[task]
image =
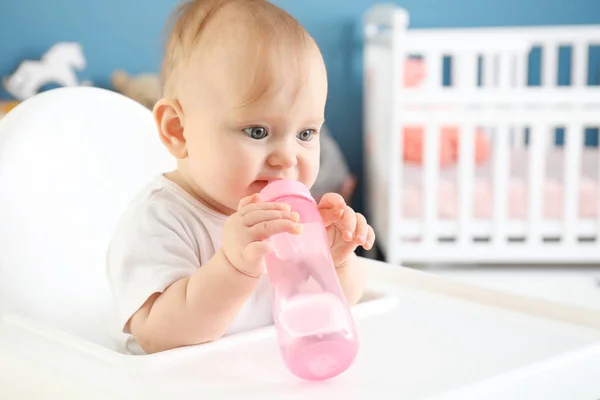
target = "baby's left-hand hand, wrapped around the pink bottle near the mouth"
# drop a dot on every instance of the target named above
(246, 231)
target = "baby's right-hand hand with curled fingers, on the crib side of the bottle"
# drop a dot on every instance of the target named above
(346, 229)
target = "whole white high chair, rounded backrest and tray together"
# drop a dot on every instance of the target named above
(70, 161)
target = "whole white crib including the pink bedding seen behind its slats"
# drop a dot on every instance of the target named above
(529, 201)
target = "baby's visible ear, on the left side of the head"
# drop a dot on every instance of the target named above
(168, 115)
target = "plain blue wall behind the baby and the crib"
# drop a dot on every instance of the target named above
(128, 34)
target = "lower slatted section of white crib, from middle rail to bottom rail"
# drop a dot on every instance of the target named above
(495, 239)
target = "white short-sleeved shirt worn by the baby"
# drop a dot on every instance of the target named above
(165, 235)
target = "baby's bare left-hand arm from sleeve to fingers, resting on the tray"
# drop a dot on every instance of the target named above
(201, 307)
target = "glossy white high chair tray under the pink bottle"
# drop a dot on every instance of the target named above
(422, 337)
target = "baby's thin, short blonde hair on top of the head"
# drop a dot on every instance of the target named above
(275, 31)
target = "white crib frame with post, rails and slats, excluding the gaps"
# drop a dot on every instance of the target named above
(503, 105)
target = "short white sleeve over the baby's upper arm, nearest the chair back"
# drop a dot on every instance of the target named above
(149, 251)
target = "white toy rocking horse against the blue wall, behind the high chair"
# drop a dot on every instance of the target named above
(57, 66)
